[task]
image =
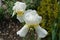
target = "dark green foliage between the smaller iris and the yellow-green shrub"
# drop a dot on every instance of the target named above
(32, 4)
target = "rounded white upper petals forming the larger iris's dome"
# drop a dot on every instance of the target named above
(31, 17)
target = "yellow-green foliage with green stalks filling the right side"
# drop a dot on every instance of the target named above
(48, 9)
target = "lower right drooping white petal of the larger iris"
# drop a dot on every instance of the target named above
(41, 32)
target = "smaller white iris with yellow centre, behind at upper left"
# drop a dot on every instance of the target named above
(19, 8)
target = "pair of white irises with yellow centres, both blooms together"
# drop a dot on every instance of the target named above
(31, 18)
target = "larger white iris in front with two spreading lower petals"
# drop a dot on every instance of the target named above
(32, 19)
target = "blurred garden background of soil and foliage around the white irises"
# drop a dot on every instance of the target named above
(48, 9)
